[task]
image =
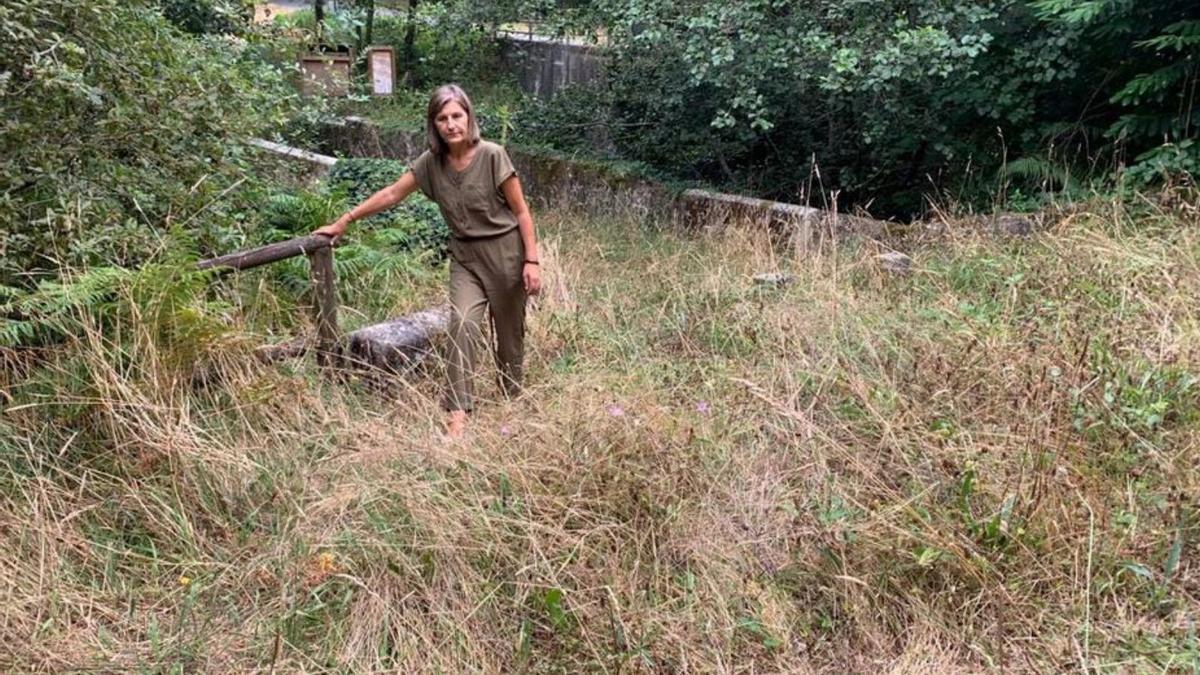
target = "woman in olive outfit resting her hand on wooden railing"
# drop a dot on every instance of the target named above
(494, 252)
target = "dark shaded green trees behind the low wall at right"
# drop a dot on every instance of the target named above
(887, 103)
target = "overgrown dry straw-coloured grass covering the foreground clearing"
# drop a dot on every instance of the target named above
(989, 464)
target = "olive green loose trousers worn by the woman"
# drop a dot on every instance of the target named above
(485, 274)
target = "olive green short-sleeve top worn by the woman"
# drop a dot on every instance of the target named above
(471, 200)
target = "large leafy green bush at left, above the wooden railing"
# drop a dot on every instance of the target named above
(119, 126)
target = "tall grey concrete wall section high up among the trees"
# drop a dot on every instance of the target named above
(544, 67)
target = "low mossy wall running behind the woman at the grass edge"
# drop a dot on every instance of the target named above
(560, 182)
